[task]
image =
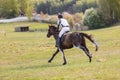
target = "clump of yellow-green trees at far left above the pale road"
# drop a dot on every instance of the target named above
(11, 8)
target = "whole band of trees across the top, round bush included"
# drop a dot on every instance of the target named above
(103, 12)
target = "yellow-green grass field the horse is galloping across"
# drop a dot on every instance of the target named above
(24, 56)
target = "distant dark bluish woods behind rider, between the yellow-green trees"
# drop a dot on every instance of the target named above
(71, 6)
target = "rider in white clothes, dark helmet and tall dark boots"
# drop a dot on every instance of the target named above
(63, 23)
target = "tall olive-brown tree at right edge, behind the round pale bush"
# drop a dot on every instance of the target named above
(110, 9)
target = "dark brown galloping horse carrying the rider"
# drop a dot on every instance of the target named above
(69, 40)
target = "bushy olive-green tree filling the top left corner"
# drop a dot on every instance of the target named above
(9, 8)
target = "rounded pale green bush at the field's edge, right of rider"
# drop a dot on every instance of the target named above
(92, 19)
